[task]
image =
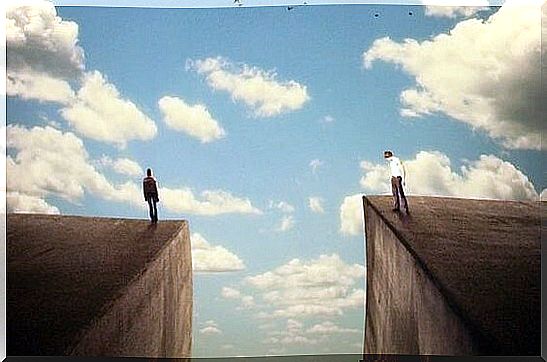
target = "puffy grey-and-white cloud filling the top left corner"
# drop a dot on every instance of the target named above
(42, 52)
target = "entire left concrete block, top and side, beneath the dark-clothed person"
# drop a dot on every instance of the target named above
(98, 287)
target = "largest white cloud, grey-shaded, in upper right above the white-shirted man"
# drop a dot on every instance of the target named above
(483, 73)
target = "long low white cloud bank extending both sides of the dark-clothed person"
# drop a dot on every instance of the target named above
(49, 162)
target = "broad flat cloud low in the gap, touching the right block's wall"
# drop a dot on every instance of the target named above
(326, 286)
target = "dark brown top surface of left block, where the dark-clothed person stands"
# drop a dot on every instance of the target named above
(65, 271)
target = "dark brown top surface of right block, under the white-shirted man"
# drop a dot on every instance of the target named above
(484, 256)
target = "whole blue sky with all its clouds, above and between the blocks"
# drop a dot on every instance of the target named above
(264, 127)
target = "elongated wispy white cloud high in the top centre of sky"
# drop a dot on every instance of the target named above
(258, 89)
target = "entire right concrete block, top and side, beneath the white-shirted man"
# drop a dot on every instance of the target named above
(456, 277)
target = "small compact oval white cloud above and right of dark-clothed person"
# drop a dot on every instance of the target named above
(194, 120)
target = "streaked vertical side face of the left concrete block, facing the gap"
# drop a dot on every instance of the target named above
(153, 317)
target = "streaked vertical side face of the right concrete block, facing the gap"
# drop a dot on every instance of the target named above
(406, 313)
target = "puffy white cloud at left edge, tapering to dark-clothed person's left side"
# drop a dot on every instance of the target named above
(49, 162)
